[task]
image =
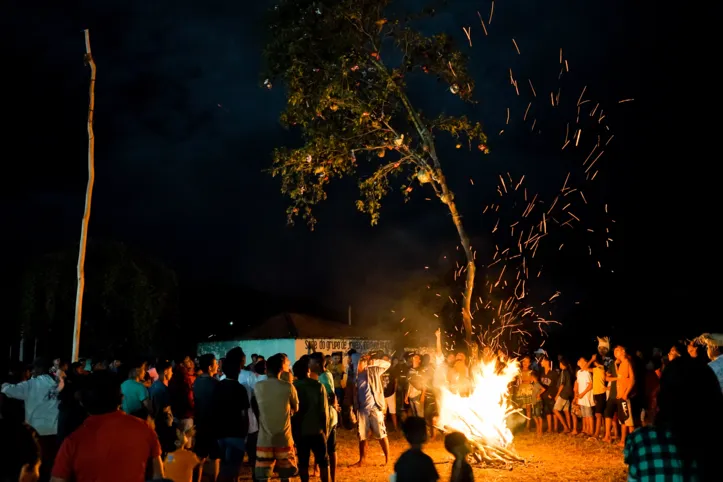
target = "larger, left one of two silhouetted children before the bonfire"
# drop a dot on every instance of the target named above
(414, 465)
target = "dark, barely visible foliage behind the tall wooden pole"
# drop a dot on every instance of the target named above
(127, 298)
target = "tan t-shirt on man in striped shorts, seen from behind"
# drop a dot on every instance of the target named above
(276, 401)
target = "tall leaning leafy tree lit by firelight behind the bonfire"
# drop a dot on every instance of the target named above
(345, 64)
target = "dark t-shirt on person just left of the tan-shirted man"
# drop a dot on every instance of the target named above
(231, 407)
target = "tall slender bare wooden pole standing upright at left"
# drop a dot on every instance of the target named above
(88, 196)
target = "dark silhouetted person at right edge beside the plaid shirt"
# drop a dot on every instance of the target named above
(689, 387)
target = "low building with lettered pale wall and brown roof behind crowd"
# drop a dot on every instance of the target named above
(297, 335)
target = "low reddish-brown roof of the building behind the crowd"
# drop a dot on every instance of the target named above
(294, 325)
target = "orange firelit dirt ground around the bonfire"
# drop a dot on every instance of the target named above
(550, 457)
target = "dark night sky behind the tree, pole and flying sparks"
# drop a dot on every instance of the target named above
(184, 130)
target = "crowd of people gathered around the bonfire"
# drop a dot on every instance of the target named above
(203, 418)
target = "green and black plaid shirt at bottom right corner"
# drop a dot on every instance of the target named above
(651, 456)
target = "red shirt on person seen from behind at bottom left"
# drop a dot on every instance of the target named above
(112, 447)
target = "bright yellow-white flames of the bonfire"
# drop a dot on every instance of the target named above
(481, 416)
